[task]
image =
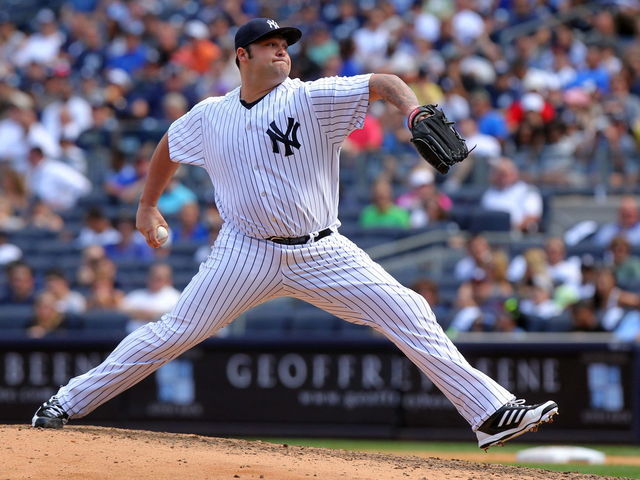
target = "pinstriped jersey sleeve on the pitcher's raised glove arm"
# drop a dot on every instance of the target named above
(340, 103)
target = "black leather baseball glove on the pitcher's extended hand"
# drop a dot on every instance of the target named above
(435, 138)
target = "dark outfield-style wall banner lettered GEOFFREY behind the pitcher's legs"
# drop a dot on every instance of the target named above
(302, 386)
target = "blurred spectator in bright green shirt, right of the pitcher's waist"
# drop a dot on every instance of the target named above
(382, 212)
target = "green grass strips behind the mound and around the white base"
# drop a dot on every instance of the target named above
(395, 446)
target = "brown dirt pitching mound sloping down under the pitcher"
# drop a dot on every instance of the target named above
(94, 453)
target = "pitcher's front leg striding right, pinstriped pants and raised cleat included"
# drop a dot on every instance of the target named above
(356, 289)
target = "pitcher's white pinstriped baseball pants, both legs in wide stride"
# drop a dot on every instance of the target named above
(333, 274)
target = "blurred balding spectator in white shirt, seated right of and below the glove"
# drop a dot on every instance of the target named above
(508, 193)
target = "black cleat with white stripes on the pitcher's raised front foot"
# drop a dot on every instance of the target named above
(514, 419)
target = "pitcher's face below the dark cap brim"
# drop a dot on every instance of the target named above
(269, 58)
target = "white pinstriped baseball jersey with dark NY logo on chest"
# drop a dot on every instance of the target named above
(274, 166)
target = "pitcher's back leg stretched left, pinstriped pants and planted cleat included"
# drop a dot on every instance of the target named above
(240, 273)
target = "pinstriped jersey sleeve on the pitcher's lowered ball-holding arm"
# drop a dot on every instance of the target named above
(186, 136)
